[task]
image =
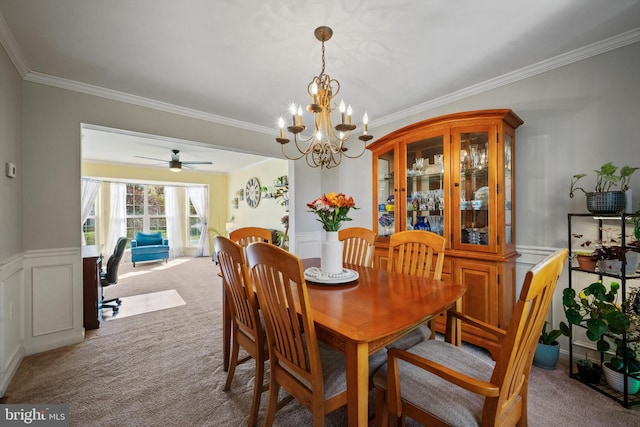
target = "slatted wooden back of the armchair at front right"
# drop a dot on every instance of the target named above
(513, 364)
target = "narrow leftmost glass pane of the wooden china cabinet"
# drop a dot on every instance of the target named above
(386, 194)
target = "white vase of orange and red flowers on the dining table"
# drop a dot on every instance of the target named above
(332, 210)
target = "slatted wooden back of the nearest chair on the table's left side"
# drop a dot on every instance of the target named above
(293, 347)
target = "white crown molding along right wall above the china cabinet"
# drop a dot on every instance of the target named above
(615, 42)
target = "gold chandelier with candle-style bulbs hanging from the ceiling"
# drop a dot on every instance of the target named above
(325, 146)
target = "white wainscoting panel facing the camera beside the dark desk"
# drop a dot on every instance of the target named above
(53, 302)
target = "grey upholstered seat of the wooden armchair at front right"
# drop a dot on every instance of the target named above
(453, 405)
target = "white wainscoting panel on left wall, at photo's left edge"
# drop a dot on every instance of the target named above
(12, 318)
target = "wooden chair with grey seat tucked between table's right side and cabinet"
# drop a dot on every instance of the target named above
(416, 253)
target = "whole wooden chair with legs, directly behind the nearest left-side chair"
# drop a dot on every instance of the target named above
(247, 328)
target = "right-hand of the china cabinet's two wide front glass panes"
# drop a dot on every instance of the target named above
(474, 188)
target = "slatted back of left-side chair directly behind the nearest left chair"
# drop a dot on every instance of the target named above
(235, 275)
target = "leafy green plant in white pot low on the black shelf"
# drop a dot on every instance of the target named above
(605, 320)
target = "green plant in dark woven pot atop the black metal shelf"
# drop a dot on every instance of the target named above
(608, 194)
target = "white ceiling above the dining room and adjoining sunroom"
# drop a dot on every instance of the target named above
(242, 62)
